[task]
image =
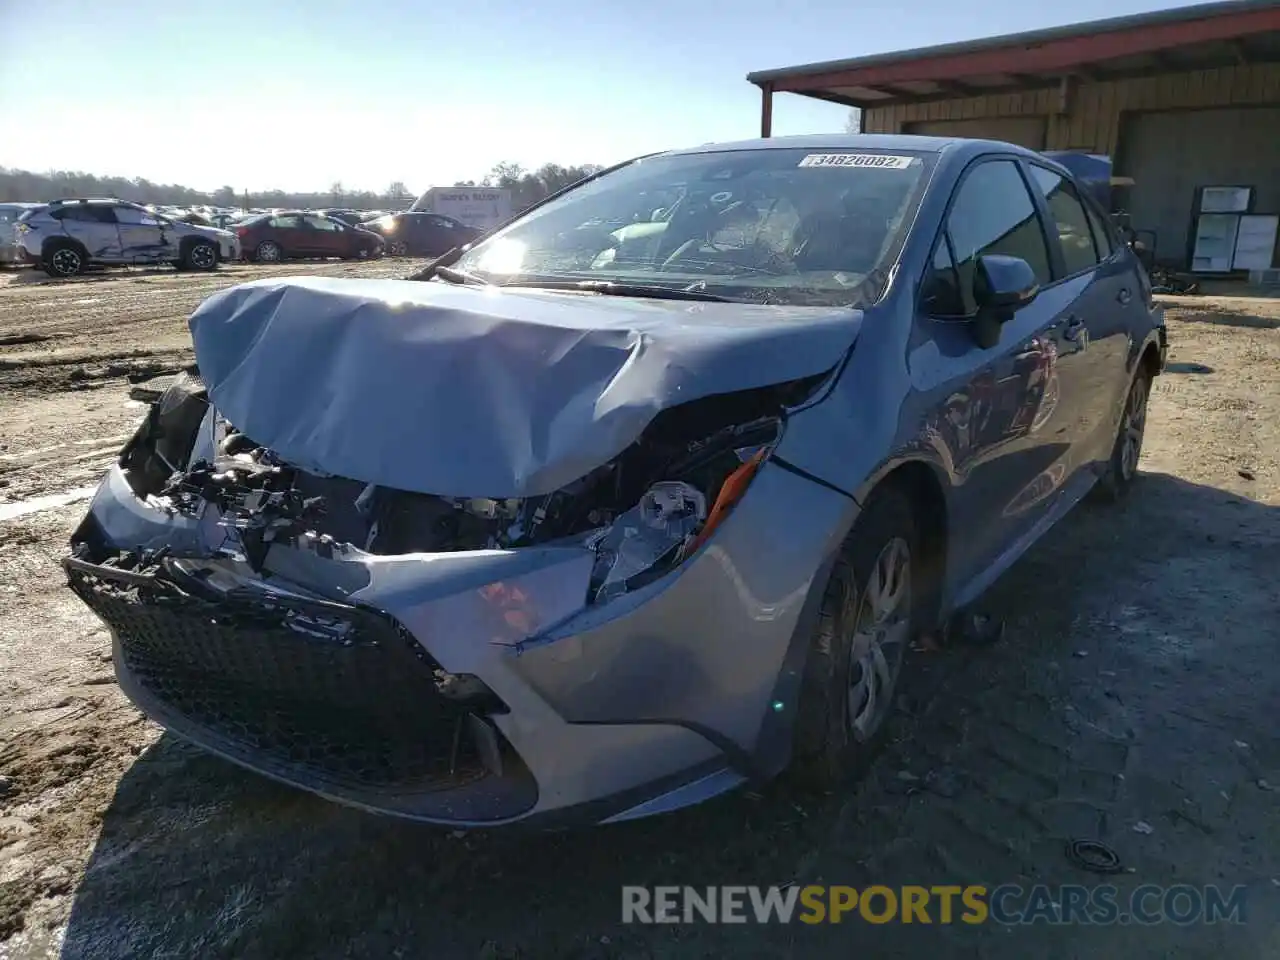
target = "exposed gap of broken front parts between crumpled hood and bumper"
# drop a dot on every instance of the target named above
(641, 514)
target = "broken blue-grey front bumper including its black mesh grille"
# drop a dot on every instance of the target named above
(322, 671)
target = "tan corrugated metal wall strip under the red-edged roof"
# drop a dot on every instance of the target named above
(1094, 118)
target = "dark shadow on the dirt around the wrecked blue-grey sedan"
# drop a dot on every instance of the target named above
(996, 760)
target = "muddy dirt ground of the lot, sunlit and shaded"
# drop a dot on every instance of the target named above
(1135, 700)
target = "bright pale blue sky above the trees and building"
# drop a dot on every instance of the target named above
(301, 94)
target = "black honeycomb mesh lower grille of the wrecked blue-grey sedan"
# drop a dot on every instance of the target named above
(308, 691)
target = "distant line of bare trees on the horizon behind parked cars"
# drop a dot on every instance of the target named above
(39, 188)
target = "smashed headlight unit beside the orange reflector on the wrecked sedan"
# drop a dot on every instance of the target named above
(669, 514)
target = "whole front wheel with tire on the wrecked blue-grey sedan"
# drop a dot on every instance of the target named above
(842, 721)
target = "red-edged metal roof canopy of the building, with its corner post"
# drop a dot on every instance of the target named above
(1165, 42)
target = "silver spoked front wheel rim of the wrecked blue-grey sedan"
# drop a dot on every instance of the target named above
(883, 629)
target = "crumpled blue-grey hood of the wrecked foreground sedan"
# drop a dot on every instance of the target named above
(473, 392)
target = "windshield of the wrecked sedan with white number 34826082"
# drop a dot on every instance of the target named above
(775, 226)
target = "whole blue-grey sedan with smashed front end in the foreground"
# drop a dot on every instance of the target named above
(638, 500)
